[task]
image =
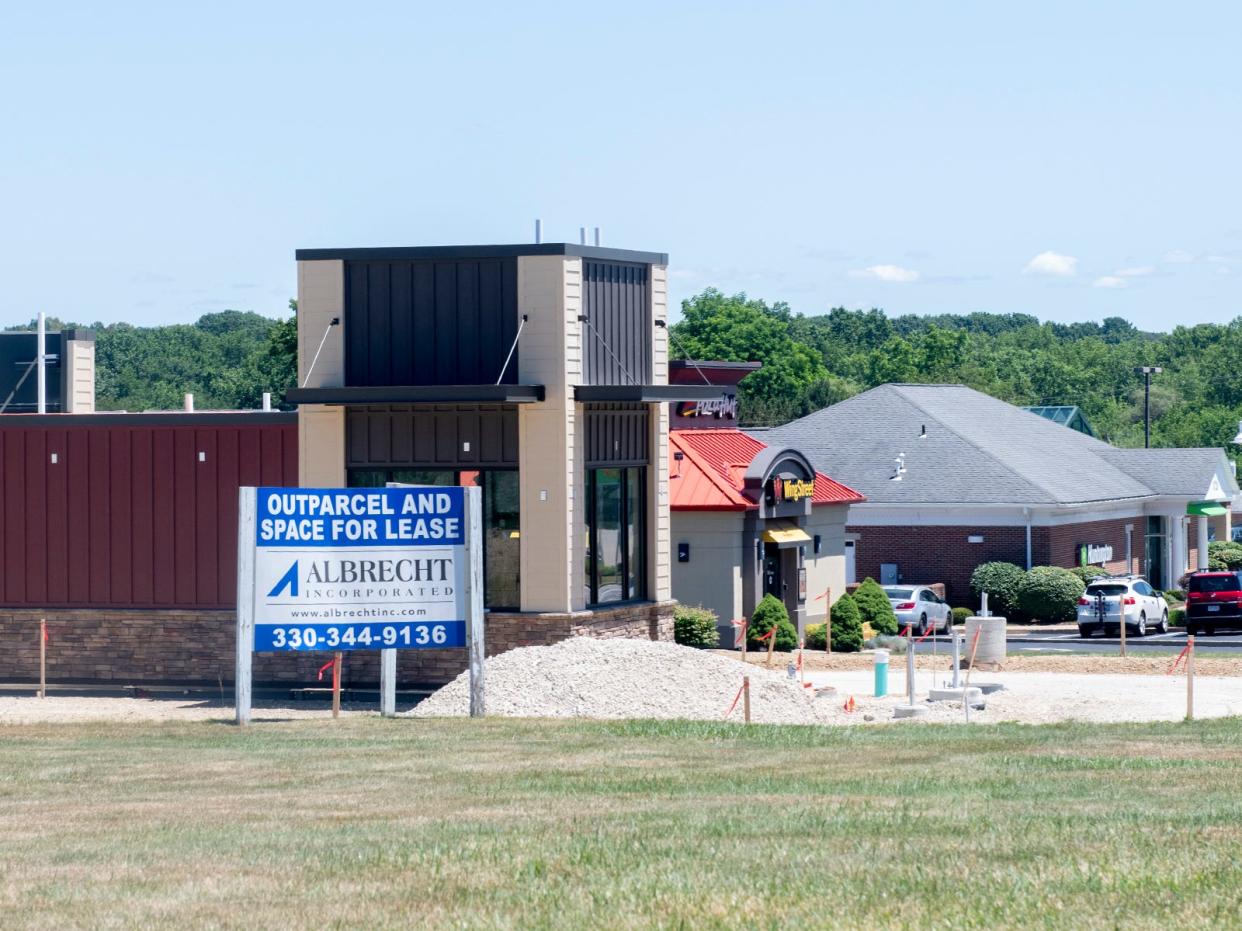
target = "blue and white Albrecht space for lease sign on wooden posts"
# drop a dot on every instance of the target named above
(343, 569)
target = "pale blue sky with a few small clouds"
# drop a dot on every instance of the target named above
(1063, 160)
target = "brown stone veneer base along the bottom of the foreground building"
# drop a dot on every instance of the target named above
(197, 647)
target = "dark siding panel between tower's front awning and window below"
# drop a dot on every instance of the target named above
(433, 436)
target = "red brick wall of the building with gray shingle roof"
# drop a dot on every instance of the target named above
(941, 554)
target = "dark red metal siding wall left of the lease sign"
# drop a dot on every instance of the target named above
(129, 517)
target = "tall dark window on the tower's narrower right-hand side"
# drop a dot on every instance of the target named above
(617, 532)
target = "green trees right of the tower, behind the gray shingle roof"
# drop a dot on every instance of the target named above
(814, 362)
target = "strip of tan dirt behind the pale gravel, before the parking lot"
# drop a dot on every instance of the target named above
(1084, 663)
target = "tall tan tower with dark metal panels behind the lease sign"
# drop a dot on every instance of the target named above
(538, 373)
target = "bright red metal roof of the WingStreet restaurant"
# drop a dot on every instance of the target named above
(712, 475)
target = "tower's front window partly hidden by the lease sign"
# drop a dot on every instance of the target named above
(502, 523)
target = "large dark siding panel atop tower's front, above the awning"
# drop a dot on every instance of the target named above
(430, 322)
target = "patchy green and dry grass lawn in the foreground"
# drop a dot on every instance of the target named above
(505, 824)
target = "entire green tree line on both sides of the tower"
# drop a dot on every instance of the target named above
(229, 359)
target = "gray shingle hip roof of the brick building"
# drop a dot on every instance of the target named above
(981, 451)
